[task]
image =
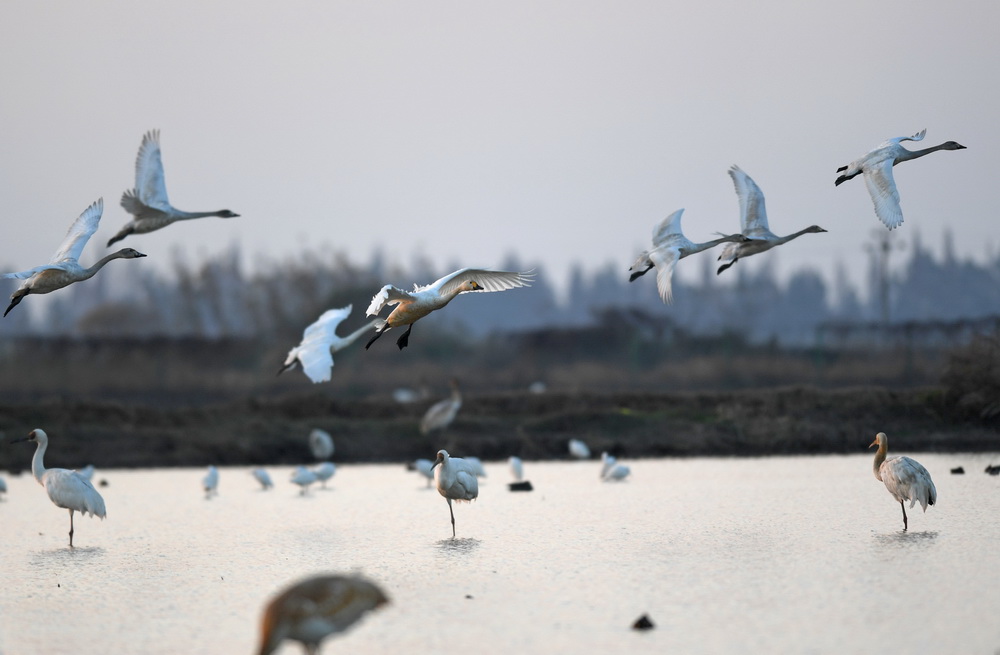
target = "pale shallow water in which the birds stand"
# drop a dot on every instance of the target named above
(797, 555)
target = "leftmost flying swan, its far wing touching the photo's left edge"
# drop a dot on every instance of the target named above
(64, 268)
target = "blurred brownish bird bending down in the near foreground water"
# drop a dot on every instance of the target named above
(316, 608)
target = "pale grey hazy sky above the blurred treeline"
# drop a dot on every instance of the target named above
(463, 132)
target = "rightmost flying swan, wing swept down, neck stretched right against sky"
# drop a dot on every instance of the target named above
(877, 168)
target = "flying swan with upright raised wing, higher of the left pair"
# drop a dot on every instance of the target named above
(148, 201)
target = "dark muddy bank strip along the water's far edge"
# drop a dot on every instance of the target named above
(273, 430)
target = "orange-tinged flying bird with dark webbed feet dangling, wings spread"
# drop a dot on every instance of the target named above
(414, 305)
